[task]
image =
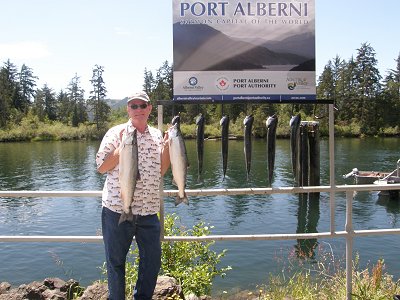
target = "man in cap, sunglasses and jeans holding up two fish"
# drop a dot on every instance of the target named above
(153, 162)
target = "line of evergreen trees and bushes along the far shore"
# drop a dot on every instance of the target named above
(367, 105)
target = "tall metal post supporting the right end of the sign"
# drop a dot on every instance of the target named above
(332, 166)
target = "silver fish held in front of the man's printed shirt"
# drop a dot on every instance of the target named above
(128, 173)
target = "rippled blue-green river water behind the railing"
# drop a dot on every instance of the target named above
(64, 166)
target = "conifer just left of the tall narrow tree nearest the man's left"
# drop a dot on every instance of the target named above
(76, 96)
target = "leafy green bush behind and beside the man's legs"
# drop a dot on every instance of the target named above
(193, 264)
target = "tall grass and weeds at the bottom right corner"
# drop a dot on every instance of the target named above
(302, 279)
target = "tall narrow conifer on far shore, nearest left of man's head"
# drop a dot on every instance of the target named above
(97, 104)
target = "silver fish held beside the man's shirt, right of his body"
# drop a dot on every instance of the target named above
(179, 162)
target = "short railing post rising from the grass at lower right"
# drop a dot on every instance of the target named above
(349, 243)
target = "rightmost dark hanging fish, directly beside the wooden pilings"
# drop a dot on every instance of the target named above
(295, 146)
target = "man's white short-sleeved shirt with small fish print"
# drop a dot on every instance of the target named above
(146, 199)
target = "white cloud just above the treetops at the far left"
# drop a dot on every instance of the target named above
(24, 50)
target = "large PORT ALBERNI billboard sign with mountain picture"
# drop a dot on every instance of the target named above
(242, 51)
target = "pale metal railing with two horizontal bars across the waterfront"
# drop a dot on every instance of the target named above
(348, 234)
